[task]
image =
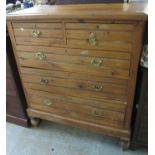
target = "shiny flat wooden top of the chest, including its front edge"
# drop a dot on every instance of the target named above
(122, 11)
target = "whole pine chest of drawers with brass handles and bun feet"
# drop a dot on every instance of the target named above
(78, 63)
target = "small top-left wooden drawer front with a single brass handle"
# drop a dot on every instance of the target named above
(38, 33)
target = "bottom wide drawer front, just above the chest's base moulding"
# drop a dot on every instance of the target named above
(55, 105)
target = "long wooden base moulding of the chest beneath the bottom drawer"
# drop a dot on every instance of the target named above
(103, 129)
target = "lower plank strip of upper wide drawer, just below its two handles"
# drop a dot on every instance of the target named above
(106, 72)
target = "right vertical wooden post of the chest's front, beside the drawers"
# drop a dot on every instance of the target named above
(137, 49)
